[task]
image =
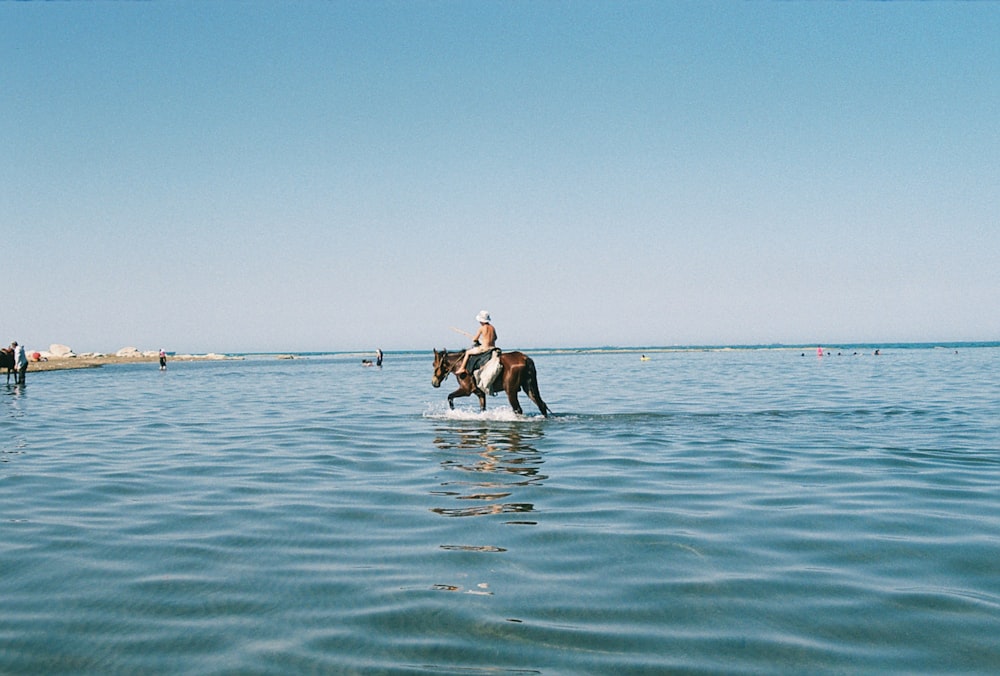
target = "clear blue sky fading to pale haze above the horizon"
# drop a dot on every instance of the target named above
(314, 176)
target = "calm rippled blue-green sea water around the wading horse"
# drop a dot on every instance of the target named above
(751, 510)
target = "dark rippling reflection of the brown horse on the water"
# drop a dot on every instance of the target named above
(490, 467)
